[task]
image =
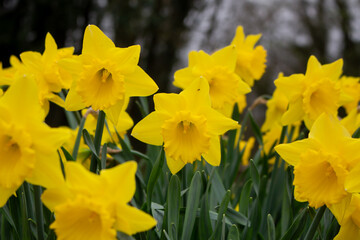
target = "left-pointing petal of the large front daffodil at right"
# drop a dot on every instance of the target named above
(291, 152)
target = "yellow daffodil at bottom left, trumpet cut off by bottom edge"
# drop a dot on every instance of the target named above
(90, 206)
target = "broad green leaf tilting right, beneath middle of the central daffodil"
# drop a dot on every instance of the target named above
(192, 206)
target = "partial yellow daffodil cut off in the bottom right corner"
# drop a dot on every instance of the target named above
(347, 213)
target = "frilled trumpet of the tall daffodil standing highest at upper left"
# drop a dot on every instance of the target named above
(101, 85)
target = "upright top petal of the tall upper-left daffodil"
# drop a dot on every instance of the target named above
(95, 41)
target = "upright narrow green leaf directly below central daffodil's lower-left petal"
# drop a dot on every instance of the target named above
(173, 203)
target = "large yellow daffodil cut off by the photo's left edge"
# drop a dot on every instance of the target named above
(28, 145)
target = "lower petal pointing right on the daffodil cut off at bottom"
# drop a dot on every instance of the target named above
(131, 220)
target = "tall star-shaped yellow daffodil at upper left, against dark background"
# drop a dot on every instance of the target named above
(105, 75)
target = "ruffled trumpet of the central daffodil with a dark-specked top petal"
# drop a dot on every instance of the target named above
(185, 137)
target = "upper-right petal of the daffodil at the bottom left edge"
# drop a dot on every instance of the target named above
(121, 180)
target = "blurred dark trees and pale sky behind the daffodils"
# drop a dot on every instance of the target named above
(168, 29)
